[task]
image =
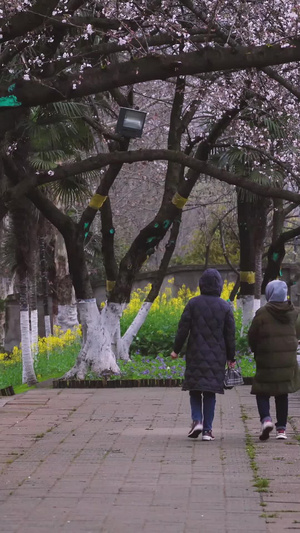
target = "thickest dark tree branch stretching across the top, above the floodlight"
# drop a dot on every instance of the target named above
(152, 67)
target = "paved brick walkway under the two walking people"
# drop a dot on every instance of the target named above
(119, 461)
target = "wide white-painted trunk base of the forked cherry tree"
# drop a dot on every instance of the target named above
(98, 334)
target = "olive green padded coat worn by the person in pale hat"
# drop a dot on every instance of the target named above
(273, 339)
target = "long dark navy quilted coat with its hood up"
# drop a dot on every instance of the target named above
(208, 323)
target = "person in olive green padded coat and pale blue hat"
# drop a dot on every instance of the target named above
(273, 339)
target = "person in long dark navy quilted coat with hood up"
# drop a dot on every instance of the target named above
(208, 323)
